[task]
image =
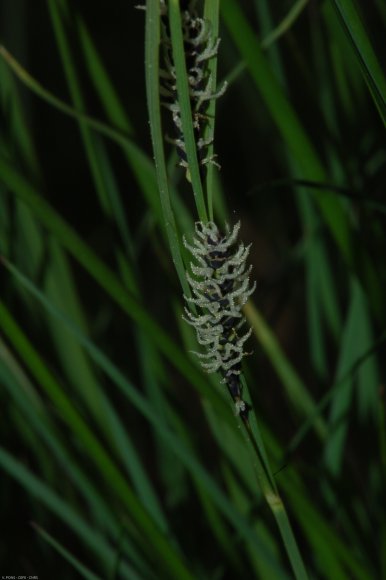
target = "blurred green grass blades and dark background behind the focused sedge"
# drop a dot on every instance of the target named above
(119, 457)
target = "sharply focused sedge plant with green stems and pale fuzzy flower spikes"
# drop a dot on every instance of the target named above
(224, 287)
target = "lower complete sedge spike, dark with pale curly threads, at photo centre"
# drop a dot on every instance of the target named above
(220, 286)
